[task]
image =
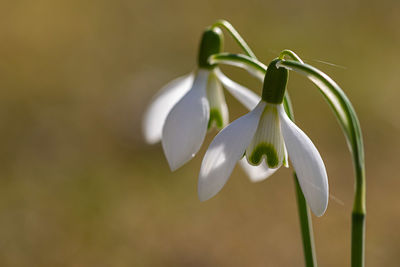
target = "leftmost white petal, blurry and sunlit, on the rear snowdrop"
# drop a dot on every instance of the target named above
(161, 105)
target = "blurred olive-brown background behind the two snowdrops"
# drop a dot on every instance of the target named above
(79, 186)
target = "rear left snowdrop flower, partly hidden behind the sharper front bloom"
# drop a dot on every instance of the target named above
(187, 107)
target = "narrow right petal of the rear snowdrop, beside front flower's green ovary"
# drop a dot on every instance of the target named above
(247, 97)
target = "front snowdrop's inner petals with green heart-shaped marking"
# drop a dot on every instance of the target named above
(267, 143)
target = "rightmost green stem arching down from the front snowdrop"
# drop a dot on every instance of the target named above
(347, 117)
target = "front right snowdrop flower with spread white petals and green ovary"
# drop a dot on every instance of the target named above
(266, 135)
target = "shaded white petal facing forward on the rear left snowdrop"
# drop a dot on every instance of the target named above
(186, 124)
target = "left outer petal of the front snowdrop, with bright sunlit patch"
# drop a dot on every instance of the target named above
(225, 151)
